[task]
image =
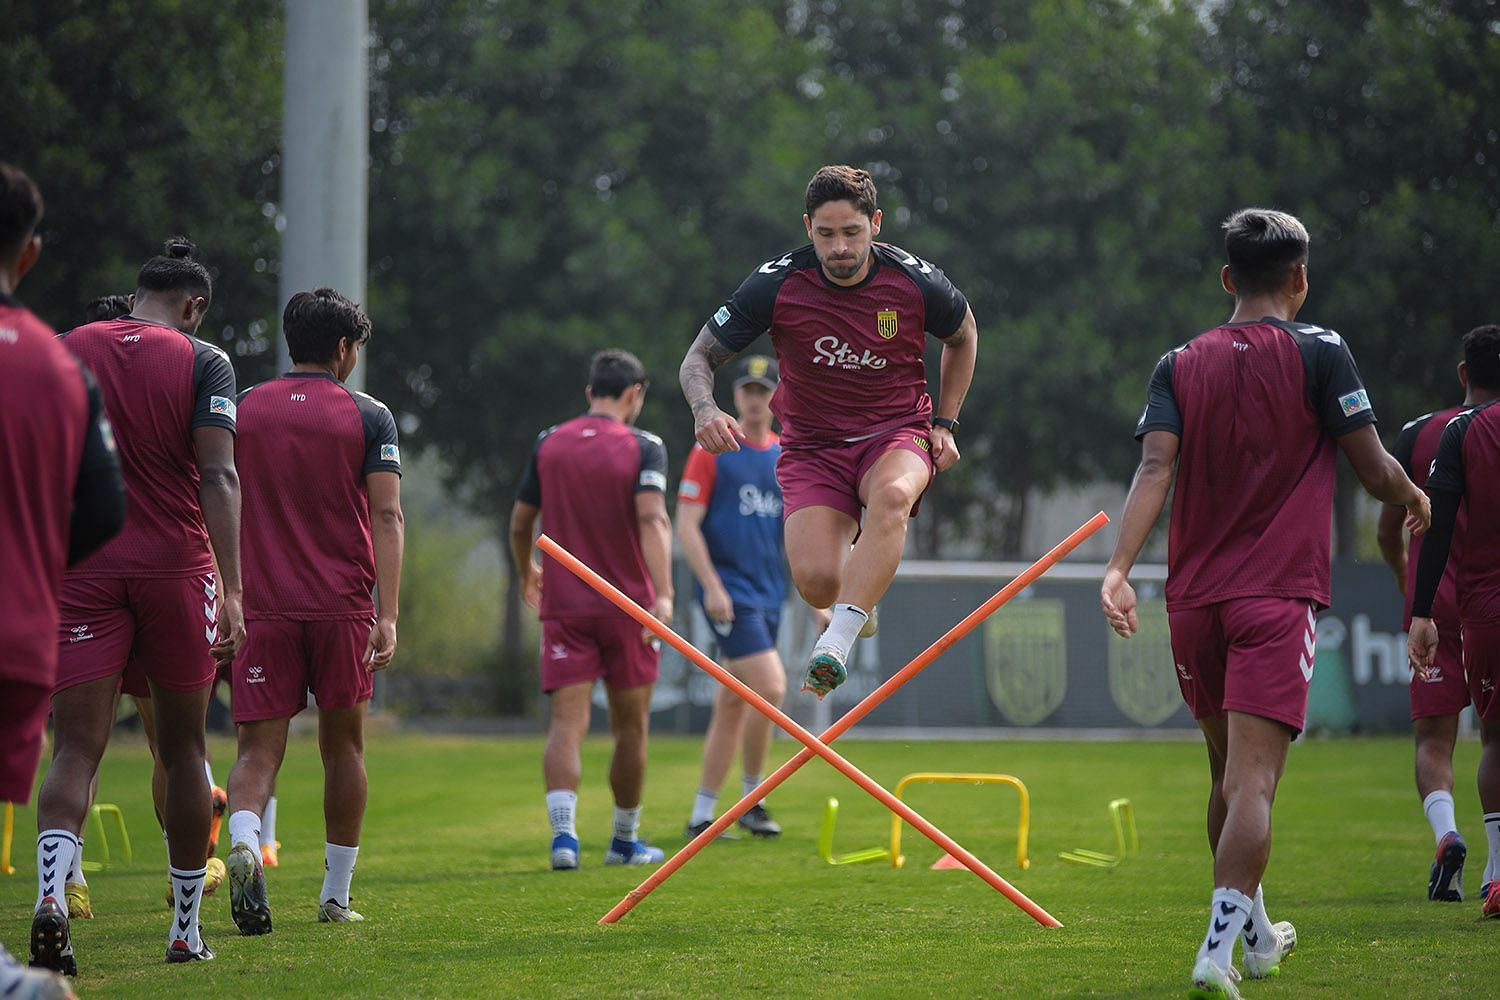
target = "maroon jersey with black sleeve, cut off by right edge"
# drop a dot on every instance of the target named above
(1468, 464)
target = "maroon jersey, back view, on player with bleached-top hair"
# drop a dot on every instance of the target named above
(1256, 407)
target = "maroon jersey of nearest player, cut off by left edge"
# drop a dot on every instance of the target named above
(52, 433)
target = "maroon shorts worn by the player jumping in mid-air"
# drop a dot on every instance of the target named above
(832, 476)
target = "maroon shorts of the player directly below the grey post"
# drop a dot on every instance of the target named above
(281, 662)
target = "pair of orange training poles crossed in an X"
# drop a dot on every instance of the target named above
(815, 746)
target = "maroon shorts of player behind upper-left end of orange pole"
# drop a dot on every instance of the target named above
(587, 650)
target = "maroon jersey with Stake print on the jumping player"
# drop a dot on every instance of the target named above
(851, 358)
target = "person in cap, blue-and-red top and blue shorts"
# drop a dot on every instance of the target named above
(730, 524)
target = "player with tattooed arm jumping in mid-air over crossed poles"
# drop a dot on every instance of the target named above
(848, 319)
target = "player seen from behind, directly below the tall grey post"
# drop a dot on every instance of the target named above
(323, 525)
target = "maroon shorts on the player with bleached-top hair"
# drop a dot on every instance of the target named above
(1250, 656)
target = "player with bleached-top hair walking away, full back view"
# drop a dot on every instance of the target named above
(1250, 418)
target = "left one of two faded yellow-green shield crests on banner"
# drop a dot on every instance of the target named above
(1027, 660)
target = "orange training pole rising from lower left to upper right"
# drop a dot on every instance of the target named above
(856, 714)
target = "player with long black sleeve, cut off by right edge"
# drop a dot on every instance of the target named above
(1466, 476)
